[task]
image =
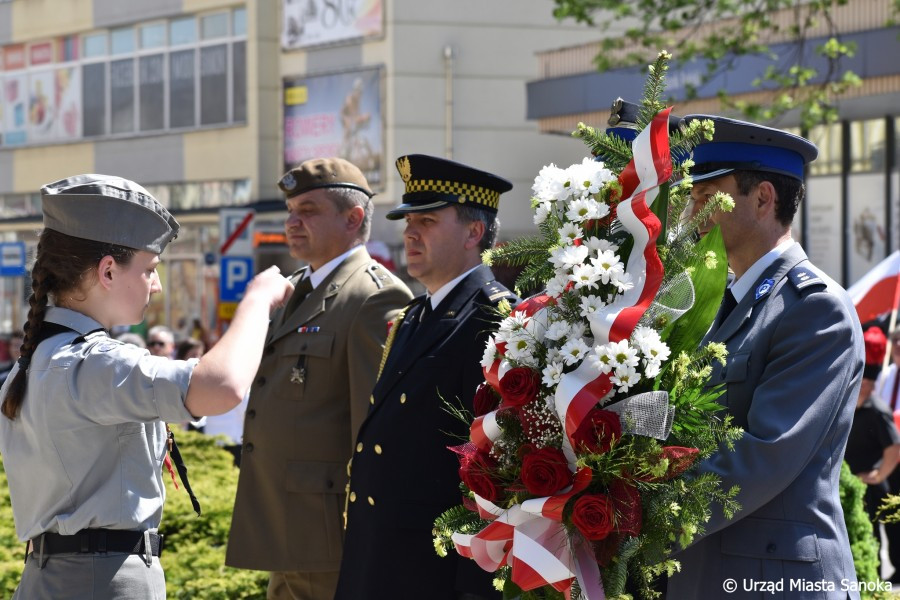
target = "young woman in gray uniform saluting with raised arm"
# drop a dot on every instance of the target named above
(82, 431)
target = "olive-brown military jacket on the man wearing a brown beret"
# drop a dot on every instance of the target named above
(298, 436)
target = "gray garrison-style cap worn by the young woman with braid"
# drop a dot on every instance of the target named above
(108, 209)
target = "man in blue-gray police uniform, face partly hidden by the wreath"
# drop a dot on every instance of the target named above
(794, 367)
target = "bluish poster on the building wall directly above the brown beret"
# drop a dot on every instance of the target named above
(335, 115)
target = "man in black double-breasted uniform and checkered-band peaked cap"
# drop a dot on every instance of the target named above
(403, 475)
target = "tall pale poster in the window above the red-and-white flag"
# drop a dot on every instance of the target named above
(867, 244)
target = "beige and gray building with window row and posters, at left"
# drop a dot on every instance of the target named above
(206, 102)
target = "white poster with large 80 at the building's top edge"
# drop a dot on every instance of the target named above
(314, 22)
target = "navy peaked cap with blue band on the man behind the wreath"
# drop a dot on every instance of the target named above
(743, 146)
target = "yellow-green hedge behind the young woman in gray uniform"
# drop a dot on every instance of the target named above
(194, 557)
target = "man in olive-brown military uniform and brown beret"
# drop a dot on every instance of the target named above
(312, 390)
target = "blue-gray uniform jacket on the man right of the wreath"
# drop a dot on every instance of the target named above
(794, 367)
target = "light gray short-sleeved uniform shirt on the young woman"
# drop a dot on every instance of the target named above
(88, 447)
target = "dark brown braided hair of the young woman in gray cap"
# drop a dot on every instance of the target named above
(63, 264)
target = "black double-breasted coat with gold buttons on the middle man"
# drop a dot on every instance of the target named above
(403, 475)
